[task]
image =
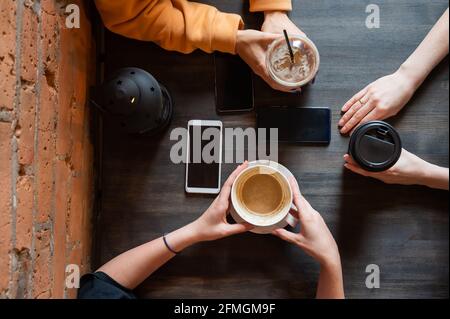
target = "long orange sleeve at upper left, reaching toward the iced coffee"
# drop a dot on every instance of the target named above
(177, 25)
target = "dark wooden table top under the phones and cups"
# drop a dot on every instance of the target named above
(404, 230)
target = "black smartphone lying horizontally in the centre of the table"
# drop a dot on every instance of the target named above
(297, 124)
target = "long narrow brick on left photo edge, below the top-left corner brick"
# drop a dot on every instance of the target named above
(5, 204)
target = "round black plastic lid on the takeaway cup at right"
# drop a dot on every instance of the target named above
(375, 146)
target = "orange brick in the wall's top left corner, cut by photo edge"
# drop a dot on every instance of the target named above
(7, 53)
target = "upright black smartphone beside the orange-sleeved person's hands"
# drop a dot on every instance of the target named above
(233, 83)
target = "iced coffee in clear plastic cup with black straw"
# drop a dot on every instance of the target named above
(297, 72)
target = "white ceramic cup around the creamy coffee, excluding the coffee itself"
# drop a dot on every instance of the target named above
(264, 223)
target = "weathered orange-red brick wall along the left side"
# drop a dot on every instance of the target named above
(45, 148)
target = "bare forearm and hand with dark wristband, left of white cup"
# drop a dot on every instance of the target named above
(134, 266)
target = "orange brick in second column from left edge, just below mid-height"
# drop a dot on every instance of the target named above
(24, 212)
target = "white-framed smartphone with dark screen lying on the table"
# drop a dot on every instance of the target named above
(204, 157)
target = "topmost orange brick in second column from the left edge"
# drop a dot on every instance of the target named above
(29, 45)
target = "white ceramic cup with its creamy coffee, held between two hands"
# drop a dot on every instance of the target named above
(261, 195)
